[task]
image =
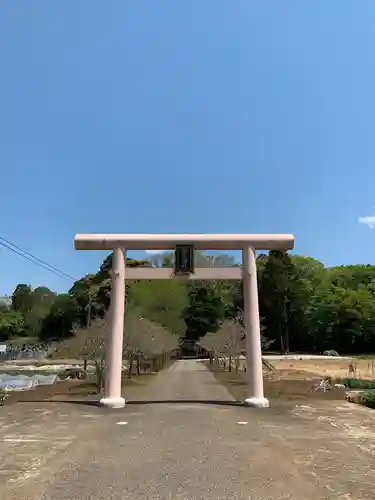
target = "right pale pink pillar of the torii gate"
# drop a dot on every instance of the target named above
(254, 369)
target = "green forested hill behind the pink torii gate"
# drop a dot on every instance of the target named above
(303, 305)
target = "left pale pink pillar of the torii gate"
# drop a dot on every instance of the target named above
(112, 394)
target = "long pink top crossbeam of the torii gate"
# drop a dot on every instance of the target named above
(169, 241)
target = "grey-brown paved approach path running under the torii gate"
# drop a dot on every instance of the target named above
(160, 447)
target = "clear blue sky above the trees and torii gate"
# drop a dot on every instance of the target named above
(185, 116)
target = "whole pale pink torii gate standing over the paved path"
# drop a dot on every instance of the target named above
(248, 243)
